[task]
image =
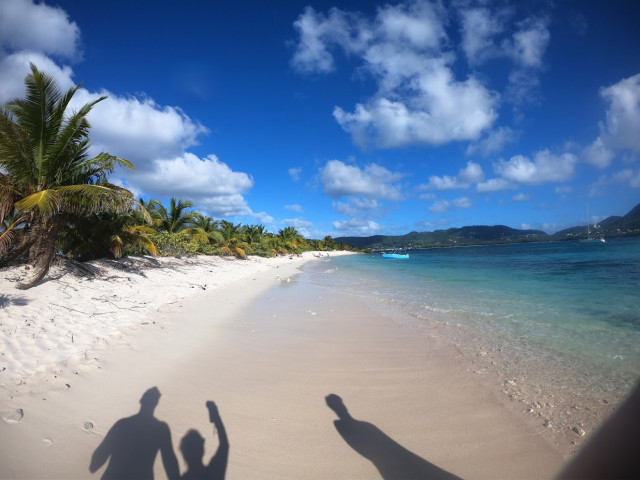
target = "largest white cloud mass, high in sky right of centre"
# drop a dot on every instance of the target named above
(404, 48)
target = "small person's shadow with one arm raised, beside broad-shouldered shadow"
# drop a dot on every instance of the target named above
(192, 448)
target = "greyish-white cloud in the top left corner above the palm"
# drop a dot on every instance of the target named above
(26, 26)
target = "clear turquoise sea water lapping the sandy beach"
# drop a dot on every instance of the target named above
(565, 315)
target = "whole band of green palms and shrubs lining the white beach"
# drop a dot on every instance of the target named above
(56, 201)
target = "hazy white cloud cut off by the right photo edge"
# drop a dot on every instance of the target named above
(623, 115)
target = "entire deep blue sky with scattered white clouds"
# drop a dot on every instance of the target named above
(353, 117)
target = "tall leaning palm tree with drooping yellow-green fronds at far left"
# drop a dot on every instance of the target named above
(46, 173)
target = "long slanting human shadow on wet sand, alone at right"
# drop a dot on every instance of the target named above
(392, 460)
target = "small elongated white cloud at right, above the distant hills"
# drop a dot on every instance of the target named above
(545, 168)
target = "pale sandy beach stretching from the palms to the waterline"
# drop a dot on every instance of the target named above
(267, 348)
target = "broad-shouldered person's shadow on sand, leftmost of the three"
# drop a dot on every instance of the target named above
(133, 443)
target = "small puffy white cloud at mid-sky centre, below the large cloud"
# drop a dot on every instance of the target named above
(374, 181)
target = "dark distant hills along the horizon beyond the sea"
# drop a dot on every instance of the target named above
(626, 226)
